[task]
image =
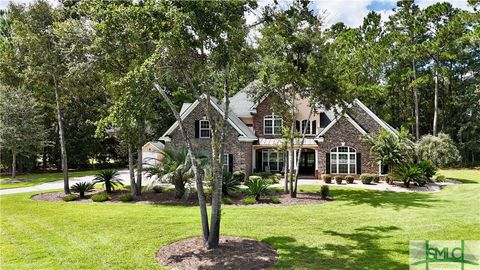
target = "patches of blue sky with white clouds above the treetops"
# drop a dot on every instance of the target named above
(351, 12)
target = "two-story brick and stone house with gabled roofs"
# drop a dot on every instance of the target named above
(334, 142)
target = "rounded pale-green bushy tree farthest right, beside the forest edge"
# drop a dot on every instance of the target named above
(440, 150)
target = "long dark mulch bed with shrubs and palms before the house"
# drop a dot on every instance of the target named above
(168, 198)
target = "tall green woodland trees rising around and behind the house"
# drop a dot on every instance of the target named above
(86, 68)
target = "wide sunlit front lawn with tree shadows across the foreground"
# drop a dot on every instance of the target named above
(360, 229)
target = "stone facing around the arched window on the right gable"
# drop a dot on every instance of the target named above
(344, 131)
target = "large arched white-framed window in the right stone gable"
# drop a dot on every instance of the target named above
(343, 160)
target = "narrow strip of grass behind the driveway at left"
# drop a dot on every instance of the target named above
(40, 178)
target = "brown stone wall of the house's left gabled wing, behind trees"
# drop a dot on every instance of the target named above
(242, 151)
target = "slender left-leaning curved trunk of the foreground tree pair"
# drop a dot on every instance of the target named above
(197, 175)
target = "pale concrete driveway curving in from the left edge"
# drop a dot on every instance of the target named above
(59, 184)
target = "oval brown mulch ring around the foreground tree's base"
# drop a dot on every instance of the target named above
(233, 253)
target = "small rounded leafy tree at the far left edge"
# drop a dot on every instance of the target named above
(21, 124)
